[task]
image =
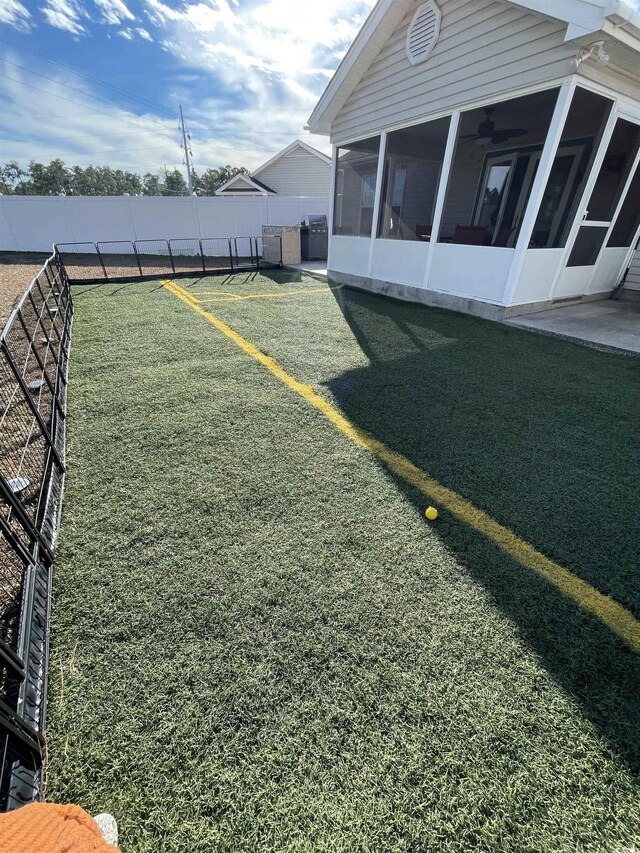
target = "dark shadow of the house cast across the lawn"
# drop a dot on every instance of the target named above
(543, 436)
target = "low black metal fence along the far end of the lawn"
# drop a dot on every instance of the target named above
(123, 260)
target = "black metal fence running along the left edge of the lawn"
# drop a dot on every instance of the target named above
(34, 351)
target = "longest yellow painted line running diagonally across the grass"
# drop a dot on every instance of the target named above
(612, 614)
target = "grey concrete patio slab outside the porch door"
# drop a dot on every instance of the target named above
(603, 324)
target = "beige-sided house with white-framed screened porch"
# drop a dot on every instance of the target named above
(486, 152)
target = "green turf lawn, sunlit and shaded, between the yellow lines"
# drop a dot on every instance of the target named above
(258, 643)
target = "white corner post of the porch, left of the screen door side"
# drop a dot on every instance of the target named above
(549, 150)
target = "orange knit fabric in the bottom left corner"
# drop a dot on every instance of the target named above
(49, 828)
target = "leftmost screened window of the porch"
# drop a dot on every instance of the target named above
(356, 188)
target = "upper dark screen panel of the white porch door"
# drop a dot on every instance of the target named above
(621, 152)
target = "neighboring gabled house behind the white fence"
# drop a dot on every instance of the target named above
(297, 171)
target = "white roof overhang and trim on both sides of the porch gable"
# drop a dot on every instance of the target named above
(618, 18)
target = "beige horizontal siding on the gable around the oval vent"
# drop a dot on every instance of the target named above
(485, 48)
